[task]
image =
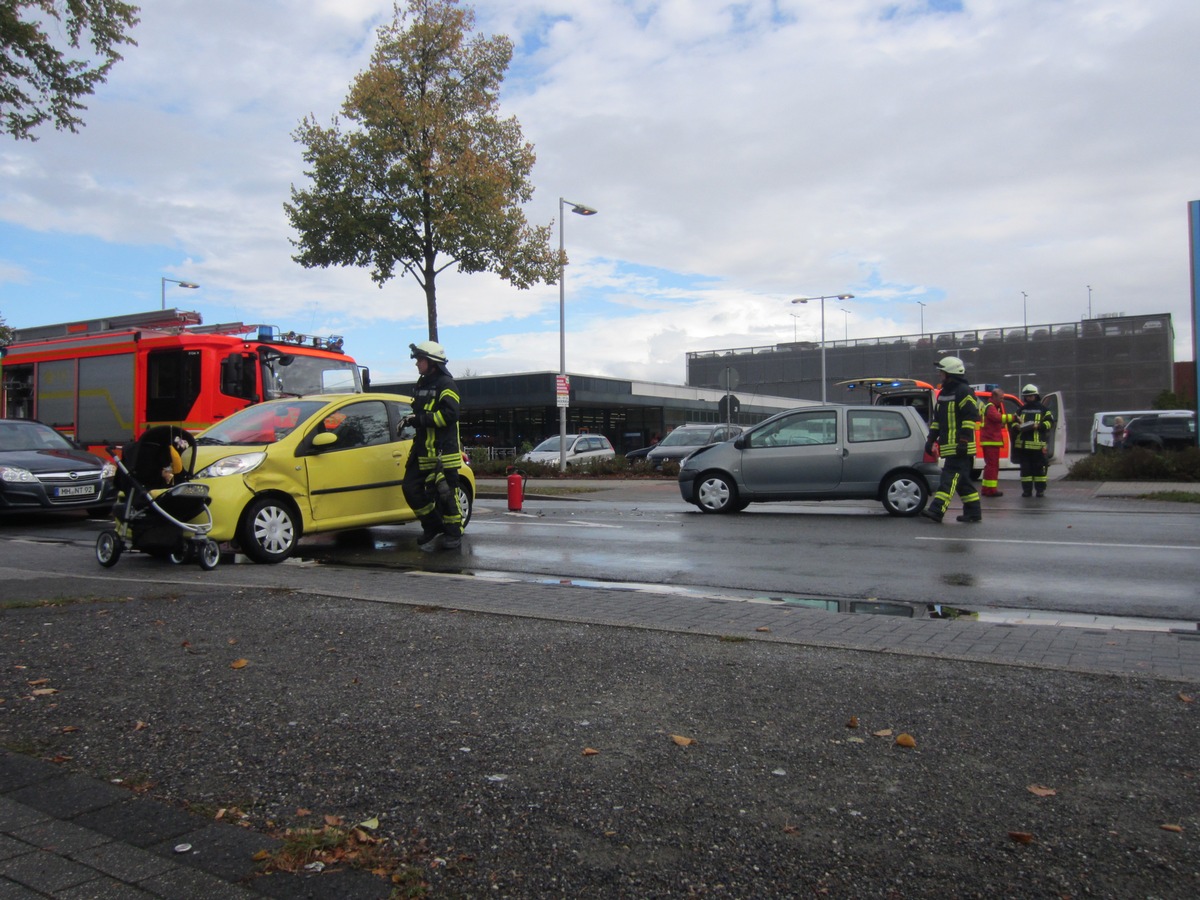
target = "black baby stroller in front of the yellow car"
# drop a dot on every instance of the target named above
(158, 502)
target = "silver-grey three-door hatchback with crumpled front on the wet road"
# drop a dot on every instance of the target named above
(827, 453)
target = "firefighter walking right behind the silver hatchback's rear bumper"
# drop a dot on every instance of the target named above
(955, 424)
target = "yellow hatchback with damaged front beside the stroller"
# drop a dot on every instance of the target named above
(285, 469)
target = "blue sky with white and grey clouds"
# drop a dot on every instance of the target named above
(947, 153)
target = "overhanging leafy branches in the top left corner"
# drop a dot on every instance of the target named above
(39, 83)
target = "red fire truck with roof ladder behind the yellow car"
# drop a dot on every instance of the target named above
(104, 382)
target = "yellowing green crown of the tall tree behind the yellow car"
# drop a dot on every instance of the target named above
(429, 177)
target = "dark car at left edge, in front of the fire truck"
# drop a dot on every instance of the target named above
(40, 470)
